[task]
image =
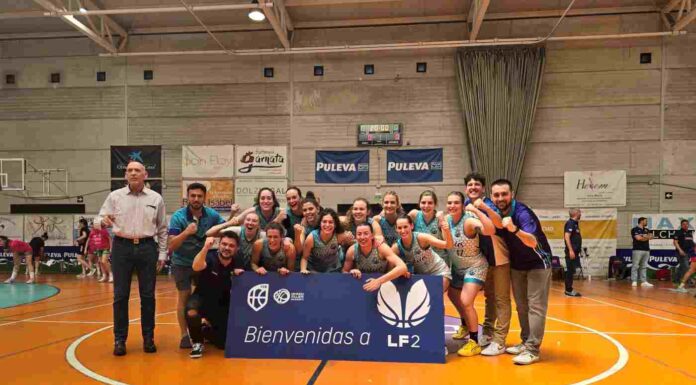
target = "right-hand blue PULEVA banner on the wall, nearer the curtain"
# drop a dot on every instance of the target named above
(414, 166)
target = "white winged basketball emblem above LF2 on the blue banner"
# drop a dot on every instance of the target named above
(412, 314)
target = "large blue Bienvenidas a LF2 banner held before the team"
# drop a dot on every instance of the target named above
(331, 317)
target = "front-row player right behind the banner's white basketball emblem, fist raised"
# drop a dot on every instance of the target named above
(417, 250)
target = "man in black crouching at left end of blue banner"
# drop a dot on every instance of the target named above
(211, 298)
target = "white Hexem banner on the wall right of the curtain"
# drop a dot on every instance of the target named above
(594, 188)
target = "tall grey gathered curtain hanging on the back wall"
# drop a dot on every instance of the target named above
(498, 90)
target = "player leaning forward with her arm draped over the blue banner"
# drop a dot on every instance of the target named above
(366, 256)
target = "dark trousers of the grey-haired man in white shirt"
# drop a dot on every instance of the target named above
(126, 258)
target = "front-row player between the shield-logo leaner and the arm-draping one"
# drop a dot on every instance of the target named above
(321, 252)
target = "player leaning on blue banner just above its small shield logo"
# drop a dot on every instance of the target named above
(271, 254)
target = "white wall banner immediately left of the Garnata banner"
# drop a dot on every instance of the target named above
(207, 161)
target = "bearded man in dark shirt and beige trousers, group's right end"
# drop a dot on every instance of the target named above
(530, 269)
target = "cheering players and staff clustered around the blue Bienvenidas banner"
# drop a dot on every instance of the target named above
(477, 243)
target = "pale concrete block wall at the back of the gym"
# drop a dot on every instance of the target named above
(600, 108)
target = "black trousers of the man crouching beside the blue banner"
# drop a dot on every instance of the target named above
(216, 315)
